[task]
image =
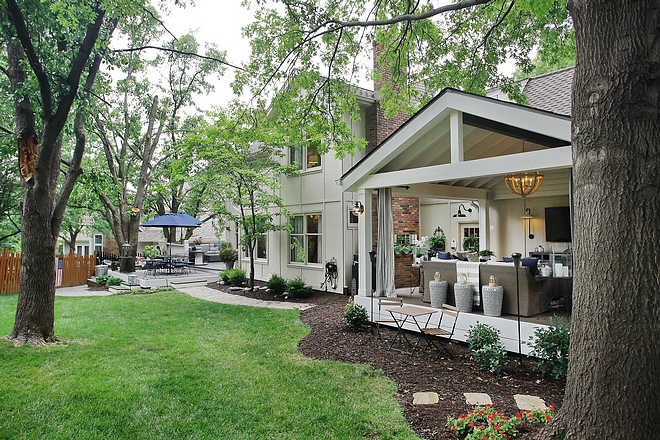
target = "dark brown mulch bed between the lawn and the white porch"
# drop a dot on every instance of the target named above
(330, 338)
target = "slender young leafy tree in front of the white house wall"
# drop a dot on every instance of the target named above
(239, 156)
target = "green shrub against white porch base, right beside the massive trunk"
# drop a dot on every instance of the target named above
(551, 346)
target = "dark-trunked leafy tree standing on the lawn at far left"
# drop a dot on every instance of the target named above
(54, 52)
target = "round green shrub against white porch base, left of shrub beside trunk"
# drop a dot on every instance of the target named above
(487, 349)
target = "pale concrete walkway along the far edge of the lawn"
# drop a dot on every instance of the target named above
(205, 293)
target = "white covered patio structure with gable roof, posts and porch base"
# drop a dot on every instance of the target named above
(459, 148)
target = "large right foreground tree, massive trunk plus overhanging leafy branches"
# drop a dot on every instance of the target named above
(612, 384)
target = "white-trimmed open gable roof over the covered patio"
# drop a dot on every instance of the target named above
(462, 140)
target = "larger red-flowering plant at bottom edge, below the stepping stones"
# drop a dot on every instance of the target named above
(484, 423)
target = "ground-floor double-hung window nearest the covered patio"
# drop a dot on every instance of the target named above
(306, 234)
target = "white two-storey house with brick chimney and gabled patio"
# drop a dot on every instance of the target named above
(457, 149)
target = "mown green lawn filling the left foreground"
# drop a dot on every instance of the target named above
(167, 366)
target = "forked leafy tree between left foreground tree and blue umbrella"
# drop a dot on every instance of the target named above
(134, 124)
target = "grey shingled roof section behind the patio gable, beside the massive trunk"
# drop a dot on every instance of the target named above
(551, 91)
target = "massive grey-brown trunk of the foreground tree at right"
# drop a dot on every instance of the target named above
(613, 385)
